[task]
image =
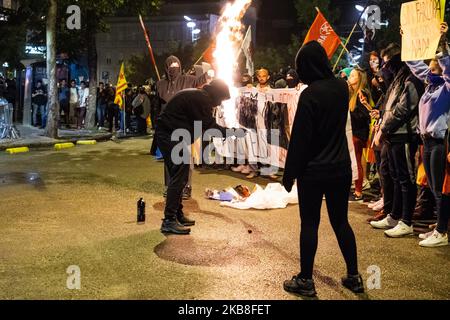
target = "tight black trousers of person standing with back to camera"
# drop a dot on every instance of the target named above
(310, 201)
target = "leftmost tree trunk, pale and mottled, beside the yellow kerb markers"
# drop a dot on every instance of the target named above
(53, 107)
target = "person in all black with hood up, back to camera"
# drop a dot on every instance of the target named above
(319, 159)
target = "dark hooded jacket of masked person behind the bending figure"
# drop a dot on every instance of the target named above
(175, 82)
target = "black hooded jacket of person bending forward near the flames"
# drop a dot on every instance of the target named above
(192, 105)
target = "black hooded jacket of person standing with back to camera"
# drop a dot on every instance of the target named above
(318, 149)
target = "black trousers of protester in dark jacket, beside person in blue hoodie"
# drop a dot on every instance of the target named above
(403, 193)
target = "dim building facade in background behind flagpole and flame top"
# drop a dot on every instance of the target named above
(167, 31)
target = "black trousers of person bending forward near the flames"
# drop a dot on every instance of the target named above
(178, 176)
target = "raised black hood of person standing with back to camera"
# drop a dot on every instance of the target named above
(312, 63)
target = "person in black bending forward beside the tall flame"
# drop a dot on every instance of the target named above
(181, 112)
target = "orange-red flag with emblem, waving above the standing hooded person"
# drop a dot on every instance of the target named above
(322, 32)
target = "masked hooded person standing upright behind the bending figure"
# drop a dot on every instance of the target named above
(167, 88)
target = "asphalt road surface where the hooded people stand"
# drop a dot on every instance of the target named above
(77, 207)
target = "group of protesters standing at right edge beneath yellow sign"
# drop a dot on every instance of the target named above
(400, 115)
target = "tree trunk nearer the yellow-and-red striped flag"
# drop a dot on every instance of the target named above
(92, 65)
